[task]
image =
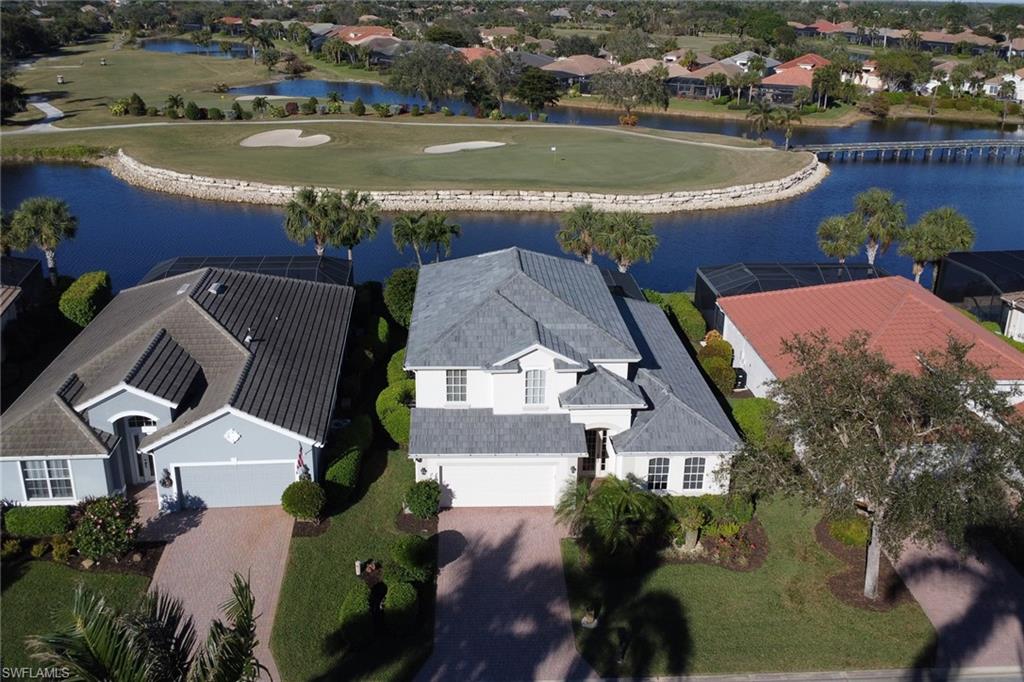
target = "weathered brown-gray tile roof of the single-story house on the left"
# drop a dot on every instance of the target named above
(286, 374)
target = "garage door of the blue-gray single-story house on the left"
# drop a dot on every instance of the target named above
(240, 485)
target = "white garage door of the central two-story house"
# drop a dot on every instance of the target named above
(498, 485)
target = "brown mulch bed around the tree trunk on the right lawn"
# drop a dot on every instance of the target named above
(848, 586)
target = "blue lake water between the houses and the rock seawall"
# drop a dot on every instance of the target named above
(125, 230)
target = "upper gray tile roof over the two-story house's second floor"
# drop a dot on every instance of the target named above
(476, 312)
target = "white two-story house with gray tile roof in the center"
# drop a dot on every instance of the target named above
(532, 371)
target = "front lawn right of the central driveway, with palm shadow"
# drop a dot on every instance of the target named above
(702, 619)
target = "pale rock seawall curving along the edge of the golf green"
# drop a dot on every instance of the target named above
(226, 190)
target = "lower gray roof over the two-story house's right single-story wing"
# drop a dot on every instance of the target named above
(687, 415)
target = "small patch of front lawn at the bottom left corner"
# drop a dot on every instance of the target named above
(37, 595)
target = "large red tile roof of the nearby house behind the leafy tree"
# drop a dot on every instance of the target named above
(903, 318)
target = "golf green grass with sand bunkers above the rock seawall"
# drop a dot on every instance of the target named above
(371, 154)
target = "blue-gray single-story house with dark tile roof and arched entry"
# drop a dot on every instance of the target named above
(211, 383)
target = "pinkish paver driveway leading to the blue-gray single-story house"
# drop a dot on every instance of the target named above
(209, 547)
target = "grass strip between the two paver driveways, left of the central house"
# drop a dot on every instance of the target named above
(320, 572)
